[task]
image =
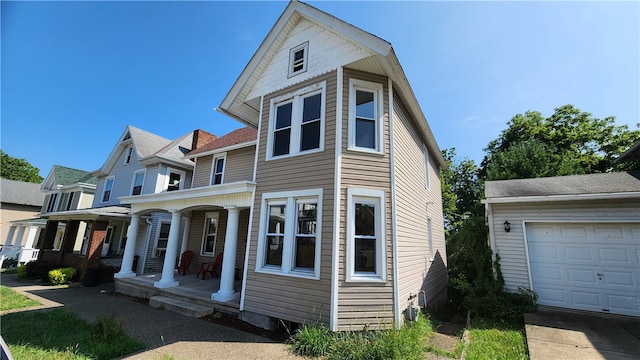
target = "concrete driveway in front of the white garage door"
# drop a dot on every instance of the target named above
(565, 334)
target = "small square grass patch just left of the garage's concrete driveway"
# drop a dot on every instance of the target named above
(496, 341)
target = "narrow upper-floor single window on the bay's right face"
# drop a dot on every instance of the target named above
(366, 125)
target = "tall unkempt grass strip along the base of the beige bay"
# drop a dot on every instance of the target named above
(410, 342)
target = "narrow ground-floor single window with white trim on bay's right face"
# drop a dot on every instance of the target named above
(366, 235)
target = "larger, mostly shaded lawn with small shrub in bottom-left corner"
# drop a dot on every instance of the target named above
(47, 335)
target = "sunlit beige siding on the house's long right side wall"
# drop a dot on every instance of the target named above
(415, 203)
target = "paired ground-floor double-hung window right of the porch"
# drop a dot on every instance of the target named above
(289, 239)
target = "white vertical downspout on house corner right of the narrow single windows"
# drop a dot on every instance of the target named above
(394, 219)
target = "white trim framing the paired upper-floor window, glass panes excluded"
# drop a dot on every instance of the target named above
(296, 120)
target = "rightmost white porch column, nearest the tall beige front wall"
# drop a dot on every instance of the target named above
(227, 277)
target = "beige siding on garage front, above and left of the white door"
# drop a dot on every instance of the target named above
(510, 245)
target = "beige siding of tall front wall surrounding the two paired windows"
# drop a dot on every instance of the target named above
(286, 297)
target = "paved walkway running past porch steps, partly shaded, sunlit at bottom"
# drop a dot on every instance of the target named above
(166, 333)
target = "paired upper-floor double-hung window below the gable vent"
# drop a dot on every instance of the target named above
(297, 121)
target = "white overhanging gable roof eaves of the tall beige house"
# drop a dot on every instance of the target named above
(384, 61)
